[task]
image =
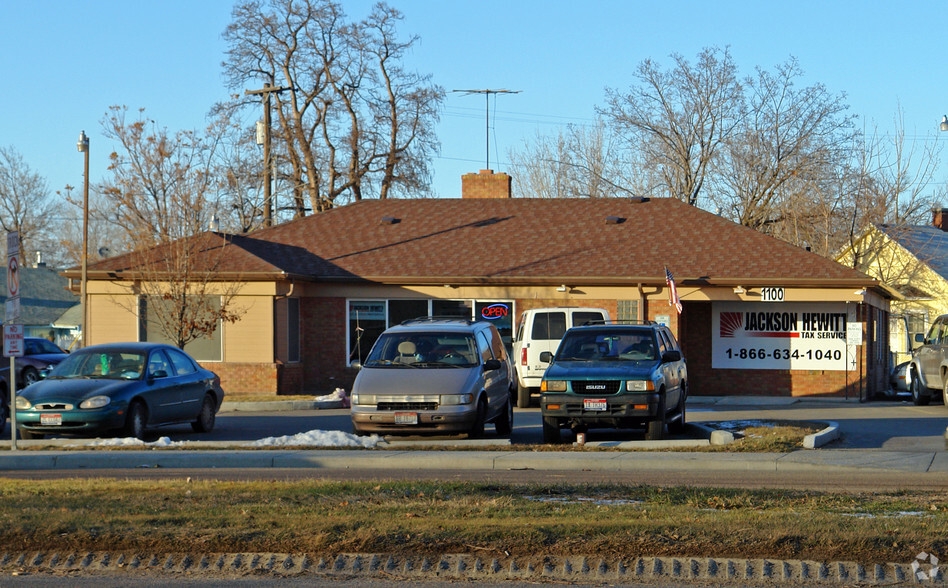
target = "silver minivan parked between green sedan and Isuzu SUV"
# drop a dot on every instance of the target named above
(434, 375)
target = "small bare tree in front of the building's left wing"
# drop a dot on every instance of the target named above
(161, 192)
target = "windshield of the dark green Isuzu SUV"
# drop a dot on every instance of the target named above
(604, 345)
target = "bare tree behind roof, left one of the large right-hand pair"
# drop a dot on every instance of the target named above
(676, 120)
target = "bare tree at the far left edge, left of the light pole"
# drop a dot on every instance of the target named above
(25, 204)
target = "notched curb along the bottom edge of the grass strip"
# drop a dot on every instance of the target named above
(471, 567)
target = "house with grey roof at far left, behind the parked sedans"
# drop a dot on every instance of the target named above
(44, 297)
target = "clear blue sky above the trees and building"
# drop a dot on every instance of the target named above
(65, 62)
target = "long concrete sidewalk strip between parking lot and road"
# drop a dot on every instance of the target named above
(798, 461)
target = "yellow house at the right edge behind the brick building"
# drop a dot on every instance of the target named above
(912, 261)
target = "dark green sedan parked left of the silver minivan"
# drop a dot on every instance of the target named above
(128, 387)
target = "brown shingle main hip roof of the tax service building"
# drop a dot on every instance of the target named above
(528, 240)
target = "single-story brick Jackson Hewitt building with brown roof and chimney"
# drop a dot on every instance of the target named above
(759, 316)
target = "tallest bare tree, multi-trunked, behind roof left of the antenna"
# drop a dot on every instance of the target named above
(352, 121)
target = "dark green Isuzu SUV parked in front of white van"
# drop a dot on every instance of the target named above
(617, 376)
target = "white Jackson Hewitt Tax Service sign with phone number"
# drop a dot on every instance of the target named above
(788, 336)
